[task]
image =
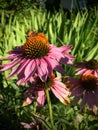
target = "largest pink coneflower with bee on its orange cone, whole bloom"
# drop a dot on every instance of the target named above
(36, 57)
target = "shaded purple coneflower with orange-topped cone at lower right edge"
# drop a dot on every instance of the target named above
(85, 88)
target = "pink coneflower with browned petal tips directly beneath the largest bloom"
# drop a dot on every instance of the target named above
(37, 91)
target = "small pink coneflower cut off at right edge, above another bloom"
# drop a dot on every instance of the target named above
(87, 67)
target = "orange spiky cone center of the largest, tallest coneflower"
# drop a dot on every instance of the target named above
(36, 46)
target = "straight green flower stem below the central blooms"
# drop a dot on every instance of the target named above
(50, 108)
